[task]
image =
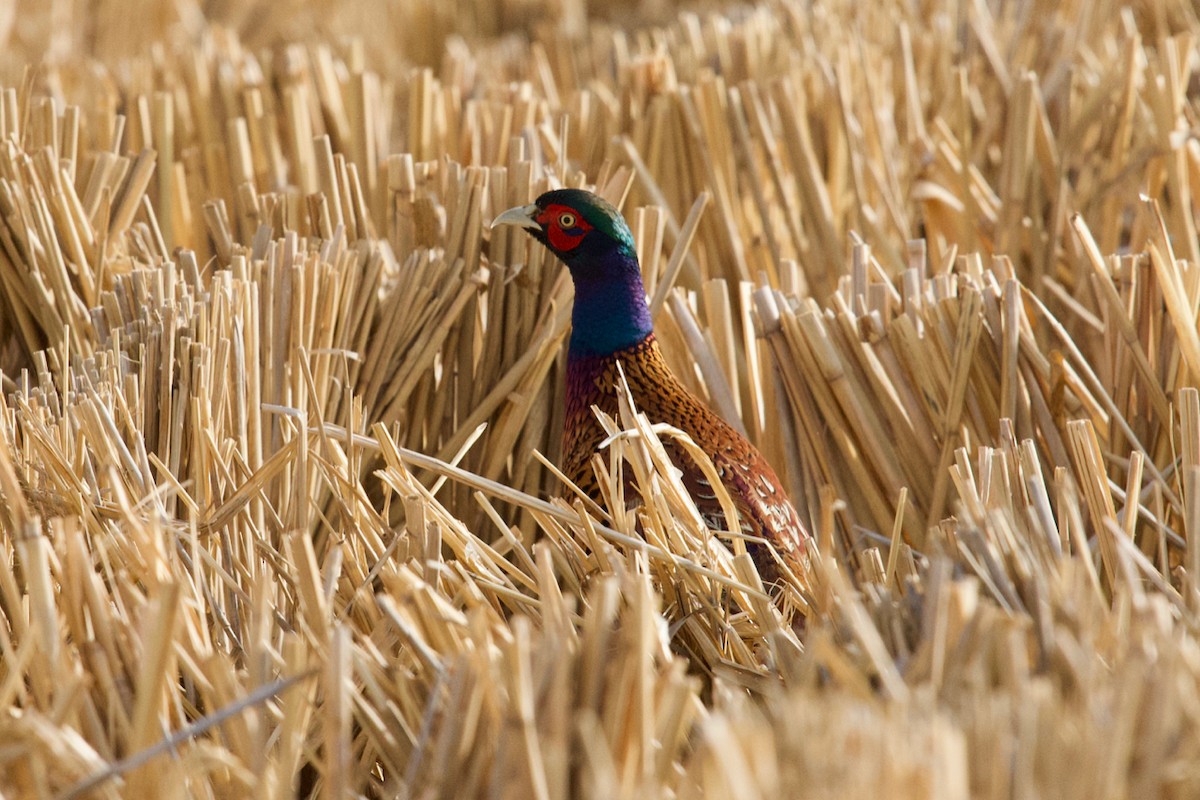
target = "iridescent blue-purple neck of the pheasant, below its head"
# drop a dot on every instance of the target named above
(610, 312)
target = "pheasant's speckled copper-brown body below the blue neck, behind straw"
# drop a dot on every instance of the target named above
(757, 491)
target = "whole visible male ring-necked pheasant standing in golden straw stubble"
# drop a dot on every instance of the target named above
(610, 324)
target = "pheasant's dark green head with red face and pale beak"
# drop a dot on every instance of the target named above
(581, 228)
